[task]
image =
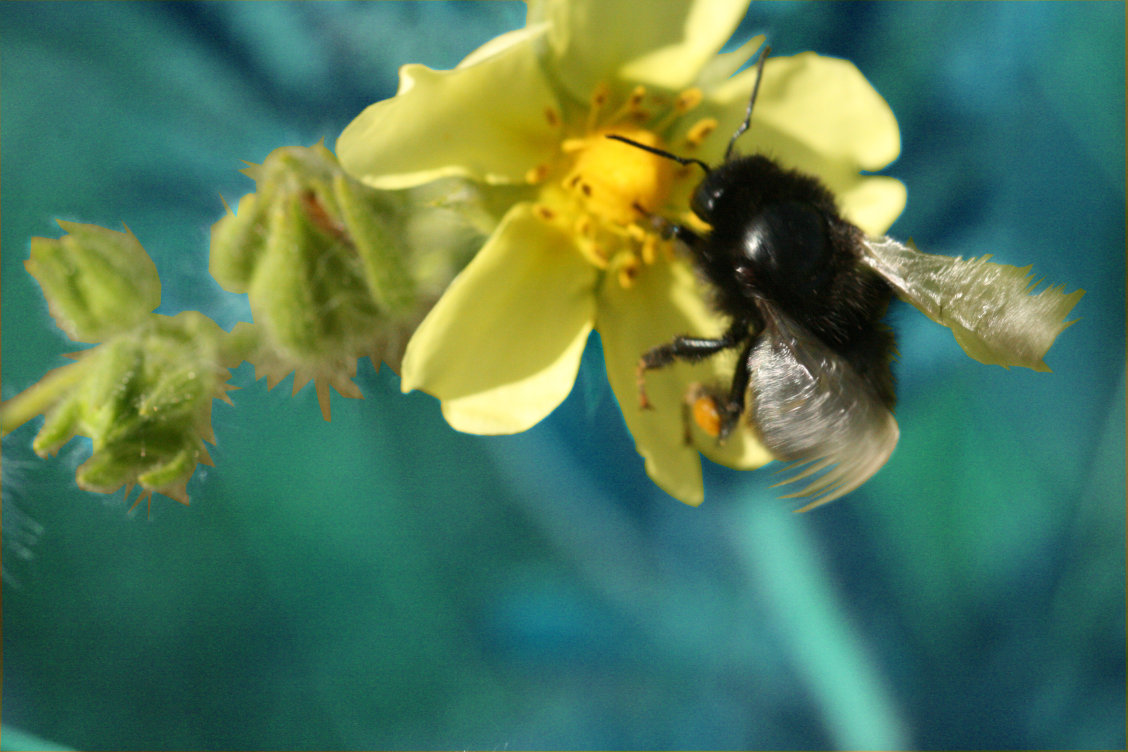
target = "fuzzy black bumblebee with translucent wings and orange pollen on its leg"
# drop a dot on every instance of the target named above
(805, 293)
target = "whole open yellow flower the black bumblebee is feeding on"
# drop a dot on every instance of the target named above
(526, 118)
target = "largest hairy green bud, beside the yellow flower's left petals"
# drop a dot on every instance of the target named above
(322, 259)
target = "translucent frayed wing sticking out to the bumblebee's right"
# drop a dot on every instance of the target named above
(989, 307)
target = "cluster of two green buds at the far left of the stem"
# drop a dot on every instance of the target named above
(144, 395)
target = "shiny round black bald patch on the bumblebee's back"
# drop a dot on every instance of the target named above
(789, 249)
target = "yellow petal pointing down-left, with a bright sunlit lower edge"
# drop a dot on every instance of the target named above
(503, 347)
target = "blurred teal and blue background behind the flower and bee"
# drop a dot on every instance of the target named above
(382, 581)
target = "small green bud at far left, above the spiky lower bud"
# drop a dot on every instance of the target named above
(98, 282)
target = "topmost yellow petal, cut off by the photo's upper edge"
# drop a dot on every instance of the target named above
(663, 45)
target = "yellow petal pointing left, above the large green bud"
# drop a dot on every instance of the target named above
(487, 121)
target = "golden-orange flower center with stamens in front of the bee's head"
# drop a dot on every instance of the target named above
(610, 190)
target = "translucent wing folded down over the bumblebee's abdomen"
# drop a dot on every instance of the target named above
(814, 410)
